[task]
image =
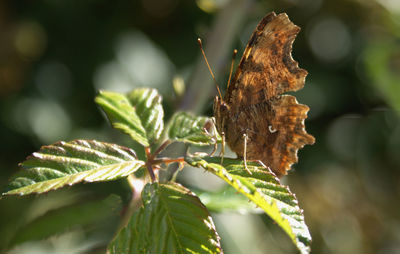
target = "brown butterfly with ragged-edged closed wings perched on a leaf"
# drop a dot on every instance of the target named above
(255, 113)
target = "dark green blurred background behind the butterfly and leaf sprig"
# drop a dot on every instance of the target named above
(55, 55)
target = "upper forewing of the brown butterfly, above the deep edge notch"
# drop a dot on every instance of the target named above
(267, 68)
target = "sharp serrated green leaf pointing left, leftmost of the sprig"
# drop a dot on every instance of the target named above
(68, 163)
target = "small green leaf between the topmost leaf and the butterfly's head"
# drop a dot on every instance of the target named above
(198, 130)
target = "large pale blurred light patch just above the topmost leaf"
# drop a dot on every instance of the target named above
(139, 62)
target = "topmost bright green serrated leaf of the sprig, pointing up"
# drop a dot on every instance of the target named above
(138, 113)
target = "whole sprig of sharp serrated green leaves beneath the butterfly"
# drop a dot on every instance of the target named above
(171, 219)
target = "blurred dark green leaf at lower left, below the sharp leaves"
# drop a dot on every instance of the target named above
(65, 218)
